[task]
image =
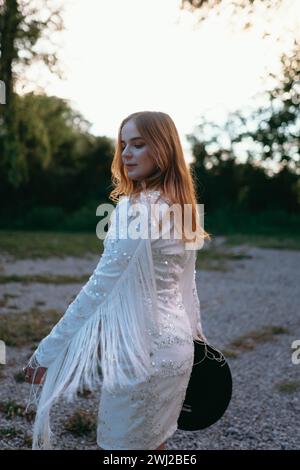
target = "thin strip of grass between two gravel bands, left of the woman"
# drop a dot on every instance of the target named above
(44, 279)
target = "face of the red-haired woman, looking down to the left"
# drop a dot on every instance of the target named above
(135, 155)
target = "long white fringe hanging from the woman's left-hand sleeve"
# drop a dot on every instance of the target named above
(114, 340)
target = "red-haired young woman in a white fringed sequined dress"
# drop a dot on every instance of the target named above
(130, 329)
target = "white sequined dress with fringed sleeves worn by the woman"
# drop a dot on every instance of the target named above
(128, 332)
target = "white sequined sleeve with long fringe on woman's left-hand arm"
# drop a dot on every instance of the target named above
(103, 339)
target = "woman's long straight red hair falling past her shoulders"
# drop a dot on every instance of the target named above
(173, 177)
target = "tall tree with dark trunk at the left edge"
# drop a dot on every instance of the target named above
(23, 23)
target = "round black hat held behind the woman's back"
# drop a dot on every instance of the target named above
(209, 390)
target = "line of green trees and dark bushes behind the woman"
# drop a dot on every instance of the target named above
(54, 171)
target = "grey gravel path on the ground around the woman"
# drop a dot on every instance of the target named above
(254, 293)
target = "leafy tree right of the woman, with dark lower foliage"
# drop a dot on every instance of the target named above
(270, 138)
